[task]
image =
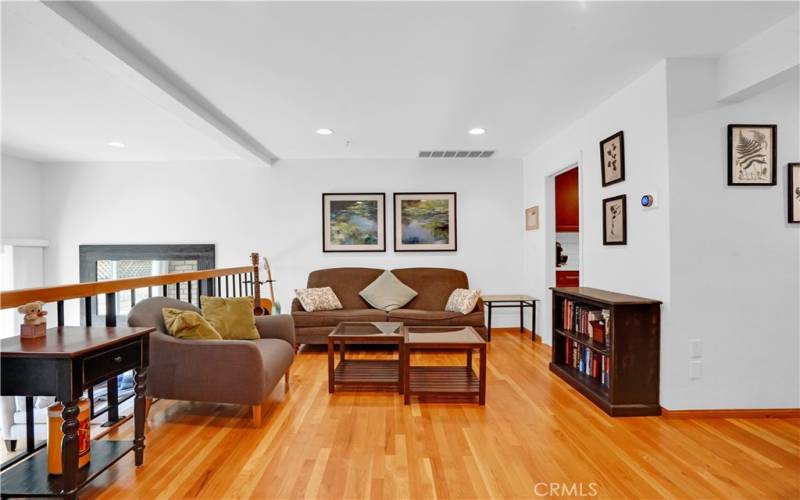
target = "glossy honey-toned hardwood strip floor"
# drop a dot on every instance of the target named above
(534, 430)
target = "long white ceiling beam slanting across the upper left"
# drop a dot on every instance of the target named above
(127, 59)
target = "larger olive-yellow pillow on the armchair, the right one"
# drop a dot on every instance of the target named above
(232, 317)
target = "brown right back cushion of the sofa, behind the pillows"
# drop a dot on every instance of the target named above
(433, 285)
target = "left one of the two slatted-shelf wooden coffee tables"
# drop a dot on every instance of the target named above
(365, 372)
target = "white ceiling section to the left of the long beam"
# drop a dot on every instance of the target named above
(60, 106)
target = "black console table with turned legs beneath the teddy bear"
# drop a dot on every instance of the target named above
(64, 363)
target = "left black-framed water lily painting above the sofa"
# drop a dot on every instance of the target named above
(353, 222)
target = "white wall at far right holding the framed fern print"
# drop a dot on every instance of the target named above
(735, 260)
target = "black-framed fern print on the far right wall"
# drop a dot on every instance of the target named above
(752, 155)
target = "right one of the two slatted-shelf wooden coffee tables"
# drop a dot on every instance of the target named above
(444, 380)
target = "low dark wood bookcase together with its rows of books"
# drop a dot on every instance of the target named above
(617, 370)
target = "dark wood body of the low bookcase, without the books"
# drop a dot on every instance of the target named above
(634, 340)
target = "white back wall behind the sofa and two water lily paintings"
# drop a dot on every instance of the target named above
(277, 211)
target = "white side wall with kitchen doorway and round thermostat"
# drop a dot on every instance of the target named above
(642, 266)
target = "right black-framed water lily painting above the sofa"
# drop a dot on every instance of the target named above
(425, 222)
